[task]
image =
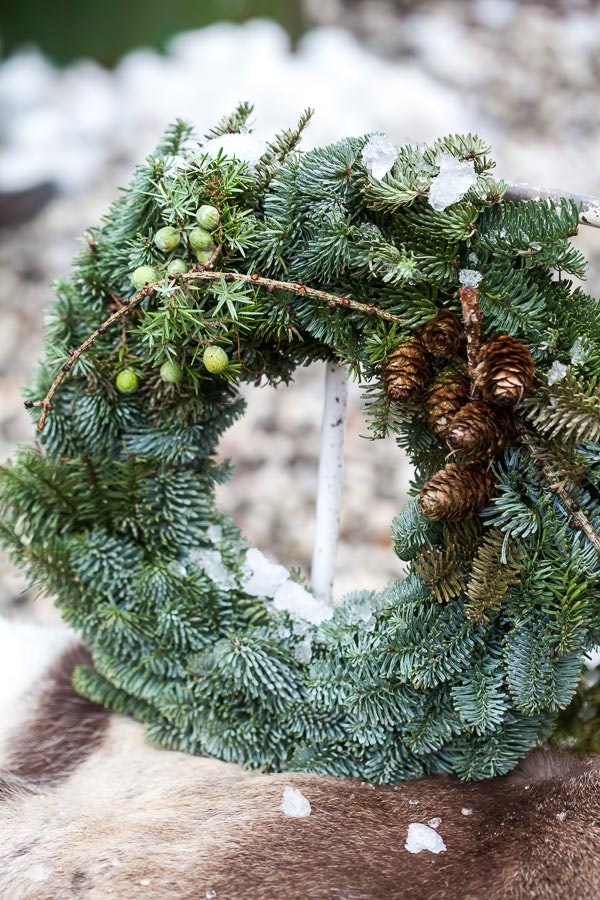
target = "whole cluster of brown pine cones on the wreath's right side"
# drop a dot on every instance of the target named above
(473, 415)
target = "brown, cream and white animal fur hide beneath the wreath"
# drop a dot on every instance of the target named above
(88, 809)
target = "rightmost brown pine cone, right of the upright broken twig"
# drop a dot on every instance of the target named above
(504, 370)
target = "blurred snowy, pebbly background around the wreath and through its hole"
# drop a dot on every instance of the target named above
(86, 89)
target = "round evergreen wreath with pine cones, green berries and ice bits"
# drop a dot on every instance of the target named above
(476, 352)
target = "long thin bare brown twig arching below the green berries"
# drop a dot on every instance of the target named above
(200, 274)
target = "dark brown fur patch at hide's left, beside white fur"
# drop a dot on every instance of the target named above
(63, 729)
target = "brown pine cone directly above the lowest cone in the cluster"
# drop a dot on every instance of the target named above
(479, 430)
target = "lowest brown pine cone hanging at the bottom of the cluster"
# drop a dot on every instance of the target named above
(456, 492)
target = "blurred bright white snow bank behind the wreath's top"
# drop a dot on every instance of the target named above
(67, 124)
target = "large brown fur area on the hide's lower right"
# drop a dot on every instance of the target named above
(533, 834)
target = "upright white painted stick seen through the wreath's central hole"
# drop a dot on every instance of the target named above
(329, 488)
